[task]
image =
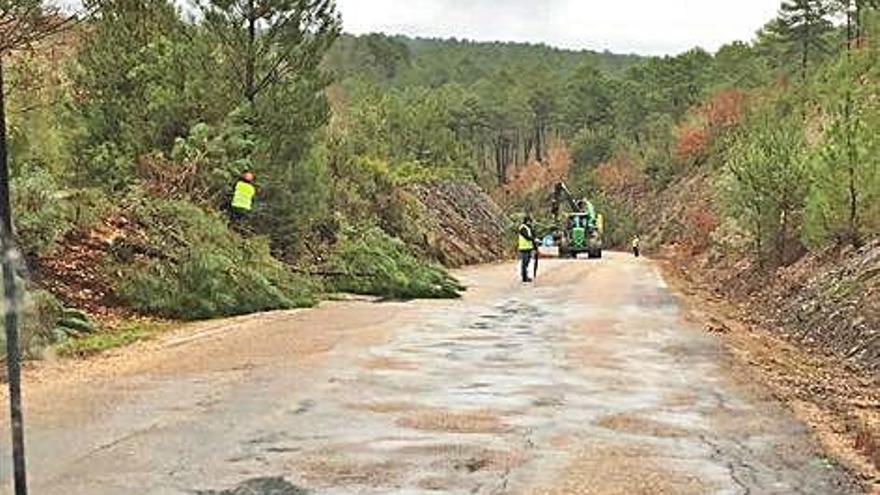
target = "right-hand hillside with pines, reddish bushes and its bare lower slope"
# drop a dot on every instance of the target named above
(768, 187)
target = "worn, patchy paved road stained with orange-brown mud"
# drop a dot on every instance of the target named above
(591, 382)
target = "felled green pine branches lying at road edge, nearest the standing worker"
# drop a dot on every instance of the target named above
(374, 263)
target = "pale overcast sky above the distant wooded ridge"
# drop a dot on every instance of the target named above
(651, 27)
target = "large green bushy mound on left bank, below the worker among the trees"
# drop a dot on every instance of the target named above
(207, 271)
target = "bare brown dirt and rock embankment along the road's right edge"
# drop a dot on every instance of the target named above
(809, 331)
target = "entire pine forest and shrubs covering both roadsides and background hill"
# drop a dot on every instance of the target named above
(128, 129)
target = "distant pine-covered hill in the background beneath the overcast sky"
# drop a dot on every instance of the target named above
(479, 109)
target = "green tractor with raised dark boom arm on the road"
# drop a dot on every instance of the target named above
(583, 229)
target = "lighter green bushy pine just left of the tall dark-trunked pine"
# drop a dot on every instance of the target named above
(136, 67)
